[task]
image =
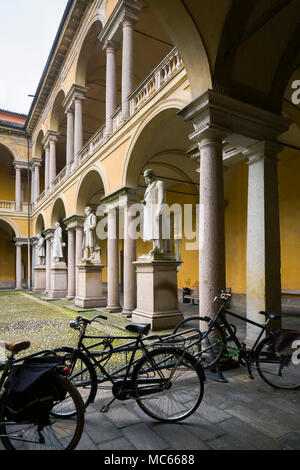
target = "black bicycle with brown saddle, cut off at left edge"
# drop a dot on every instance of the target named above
(58, 433)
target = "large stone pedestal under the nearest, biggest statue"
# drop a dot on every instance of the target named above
(157, 293)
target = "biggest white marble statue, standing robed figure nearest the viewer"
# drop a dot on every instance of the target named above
(154, 198)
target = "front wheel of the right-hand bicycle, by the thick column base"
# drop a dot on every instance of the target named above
(210, 348)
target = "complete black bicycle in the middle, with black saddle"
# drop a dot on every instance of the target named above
(166, 382)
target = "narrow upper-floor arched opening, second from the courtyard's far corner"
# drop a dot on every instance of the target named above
(58, 124)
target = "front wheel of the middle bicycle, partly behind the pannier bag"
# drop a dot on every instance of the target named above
(79, 375)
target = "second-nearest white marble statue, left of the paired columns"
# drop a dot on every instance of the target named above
(90, 248)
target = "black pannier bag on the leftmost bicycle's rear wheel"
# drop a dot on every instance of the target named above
(31, 390)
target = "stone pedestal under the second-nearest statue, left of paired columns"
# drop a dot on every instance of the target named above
(90, 291)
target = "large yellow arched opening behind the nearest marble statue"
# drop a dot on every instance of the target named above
(162, 146)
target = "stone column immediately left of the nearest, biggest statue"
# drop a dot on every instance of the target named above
(129, 267)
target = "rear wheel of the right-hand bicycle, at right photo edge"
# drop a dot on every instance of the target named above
(275, 369)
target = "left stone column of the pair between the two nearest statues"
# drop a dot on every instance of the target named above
(113, 288)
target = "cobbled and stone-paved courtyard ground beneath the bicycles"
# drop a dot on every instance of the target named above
(241, 414)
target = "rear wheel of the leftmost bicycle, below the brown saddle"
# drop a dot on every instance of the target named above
(61, 434)
